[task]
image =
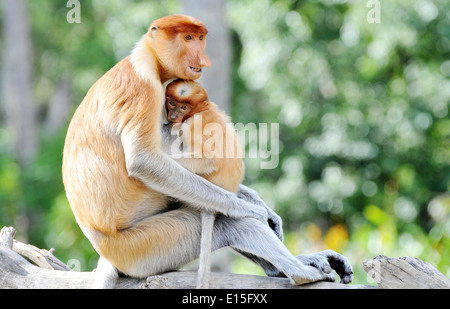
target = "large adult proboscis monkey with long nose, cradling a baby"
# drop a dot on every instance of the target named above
(117, 176)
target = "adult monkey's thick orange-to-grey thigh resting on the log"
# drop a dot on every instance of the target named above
(157, 244)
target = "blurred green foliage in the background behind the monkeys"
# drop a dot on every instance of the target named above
(362, 108)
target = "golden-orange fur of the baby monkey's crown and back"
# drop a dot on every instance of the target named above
(223, 166)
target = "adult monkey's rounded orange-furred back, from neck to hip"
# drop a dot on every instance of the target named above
(102, 195)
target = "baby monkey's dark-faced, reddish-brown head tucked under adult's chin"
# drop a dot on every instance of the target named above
(185, 98)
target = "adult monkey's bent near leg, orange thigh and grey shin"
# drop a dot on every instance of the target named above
(169, 240)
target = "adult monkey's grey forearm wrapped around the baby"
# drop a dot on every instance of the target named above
(161, 173)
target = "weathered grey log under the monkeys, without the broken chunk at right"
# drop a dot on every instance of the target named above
(18, 273)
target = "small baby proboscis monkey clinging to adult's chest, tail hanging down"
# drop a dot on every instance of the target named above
(216, 157)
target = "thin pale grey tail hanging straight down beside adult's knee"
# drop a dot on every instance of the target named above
(204, 268)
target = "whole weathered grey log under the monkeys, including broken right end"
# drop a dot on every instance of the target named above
(17, 272)
